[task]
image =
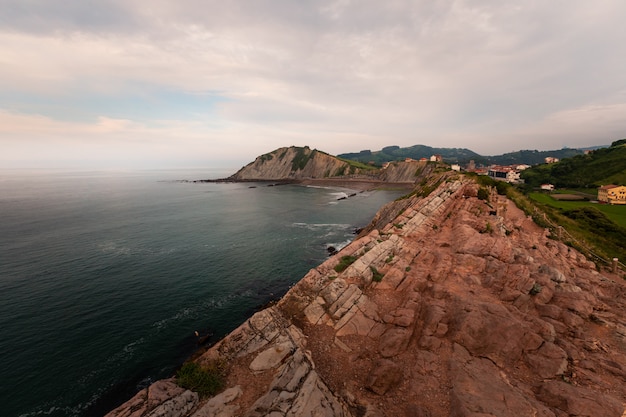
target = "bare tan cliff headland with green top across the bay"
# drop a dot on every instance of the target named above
(293, 163)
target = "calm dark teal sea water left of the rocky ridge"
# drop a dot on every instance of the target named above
(105, 276)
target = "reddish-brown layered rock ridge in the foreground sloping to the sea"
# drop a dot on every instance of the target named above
(478, 313)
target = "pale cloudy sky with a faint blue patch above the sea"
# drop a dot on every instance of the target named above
(163, 83)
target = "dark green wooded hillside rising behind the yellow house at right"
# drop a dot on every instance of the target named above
(600, 167)
